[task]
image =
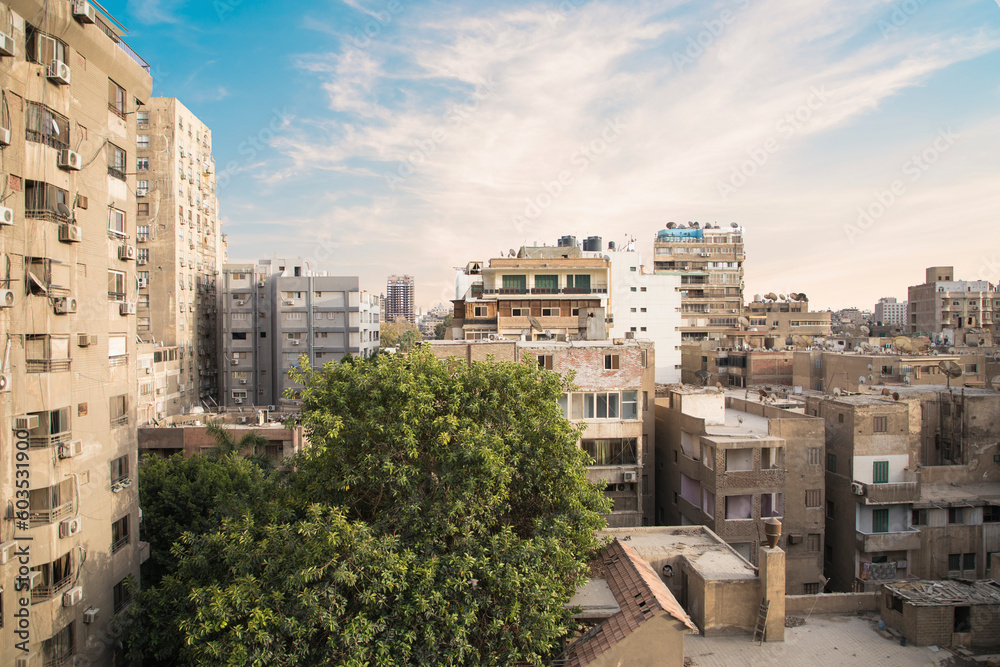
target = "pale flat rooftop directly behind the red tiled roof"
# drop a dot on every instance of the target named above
(704, 550)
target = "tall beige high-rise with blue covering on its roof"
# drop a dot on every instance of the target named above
(709, 261)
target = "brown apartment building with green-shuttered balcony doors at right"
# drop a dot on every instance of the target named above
(913, 485)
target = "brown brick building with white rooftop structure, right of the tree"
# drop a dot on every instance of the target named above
(731, 463)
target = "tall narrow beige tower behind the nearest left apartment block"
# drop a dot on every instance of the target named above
(179, 253)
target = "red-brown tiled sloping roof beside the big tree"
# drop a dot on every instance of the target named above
(641, 595)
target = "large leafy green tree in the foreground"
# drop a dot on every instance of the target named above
(441, 516)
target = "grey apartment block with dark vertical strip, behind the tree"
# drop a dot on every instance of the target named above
(276, 310)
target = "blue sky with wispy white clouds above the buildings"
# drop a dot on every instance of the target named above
(856, 141)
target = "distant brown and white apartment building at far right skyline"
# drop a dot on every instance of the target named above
(946, 308)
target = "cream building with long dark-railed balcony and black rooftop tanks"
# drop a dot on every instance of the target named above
(542, 293)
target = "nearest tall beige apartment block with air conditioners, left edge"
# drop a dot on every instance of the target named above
(71, 89)
